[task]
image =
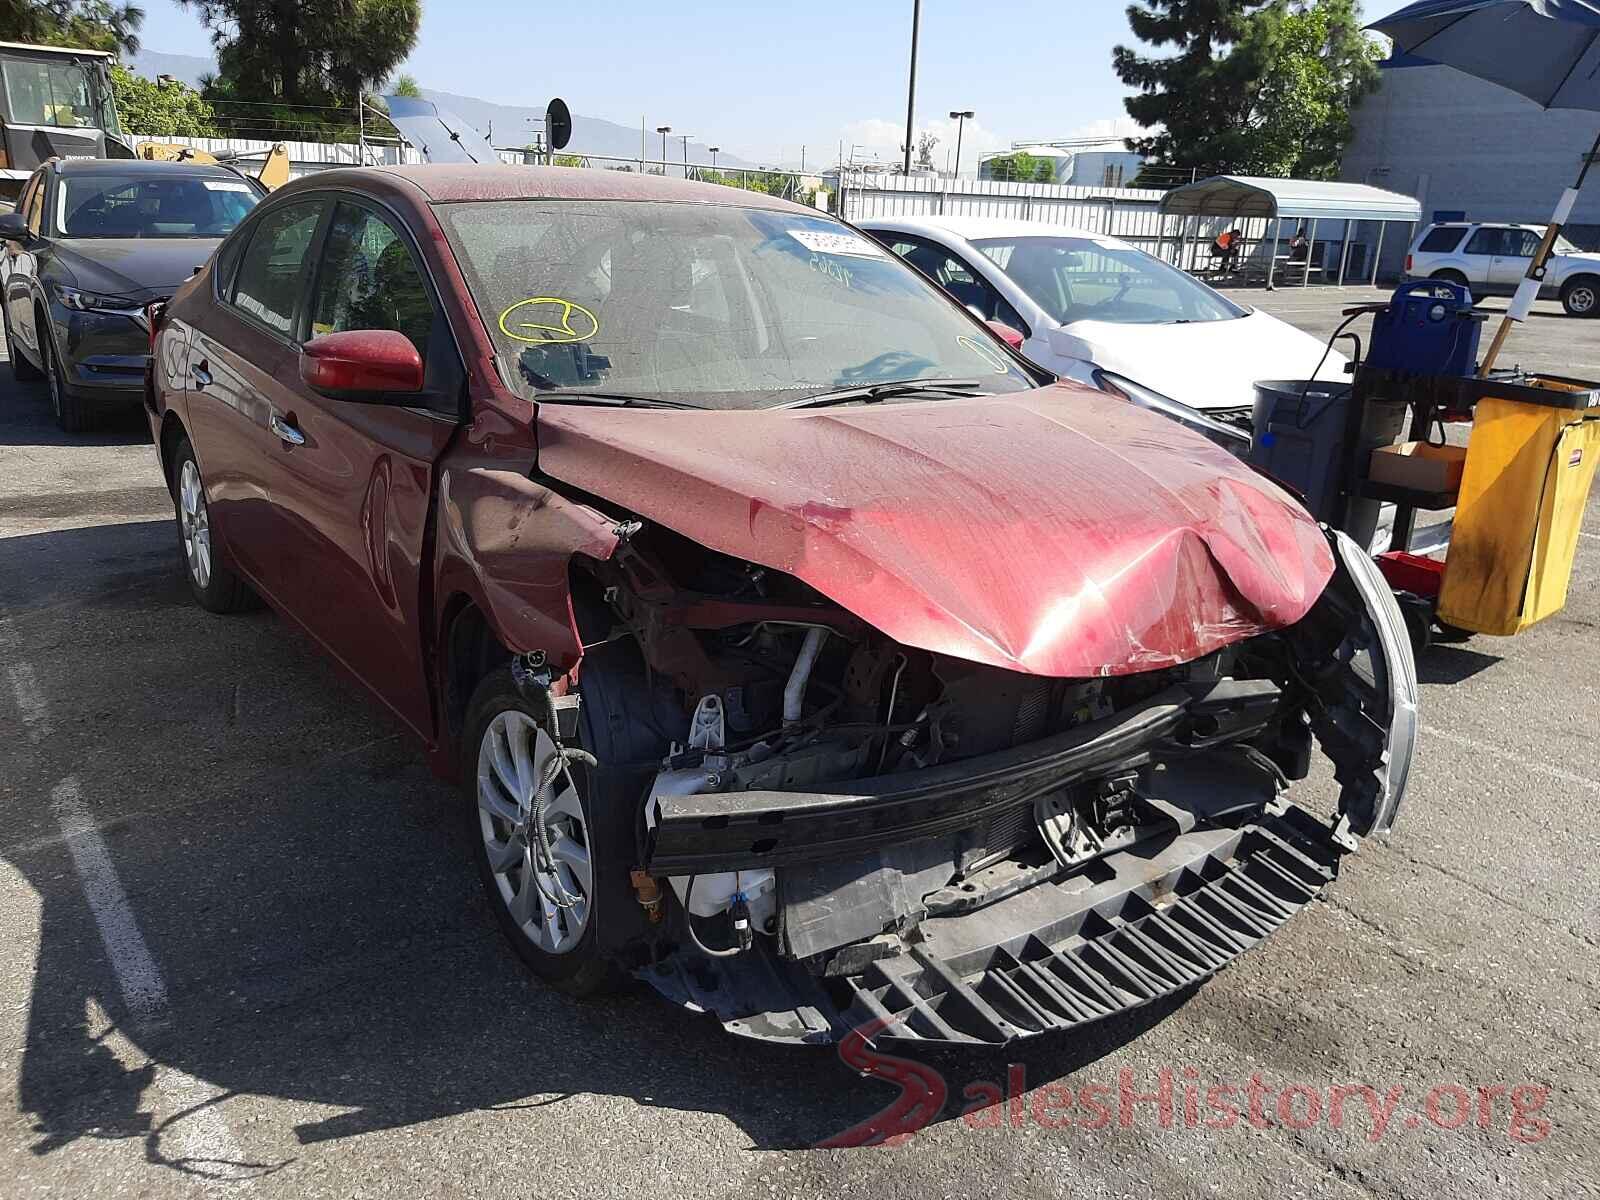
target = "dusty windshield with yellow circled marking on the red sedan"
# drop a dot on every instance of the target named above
(706, 305)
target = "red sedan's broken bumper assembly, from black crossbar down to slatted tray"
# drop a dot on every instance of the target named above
(914, 910)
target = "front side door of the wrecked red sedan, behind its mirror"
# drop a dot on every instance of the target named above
(351, 481)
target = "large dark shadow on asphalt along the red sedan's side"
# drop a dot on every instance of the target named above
(308, 897)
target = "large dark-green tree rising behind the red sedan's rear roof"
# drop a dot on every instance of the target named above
(298, 66)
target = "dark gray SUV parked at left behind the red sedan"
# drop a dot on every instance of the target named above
(90, 247)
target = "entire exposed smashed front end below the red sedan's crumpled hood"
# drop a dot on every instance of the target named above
(844, 830)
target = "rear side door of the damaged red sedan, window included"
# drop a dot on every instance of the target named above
(244, 367)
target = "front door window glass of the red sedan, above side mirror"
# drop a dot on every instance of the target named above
(369, 281)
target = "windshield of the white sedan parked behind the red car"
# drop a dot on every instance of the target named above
(1081, 279)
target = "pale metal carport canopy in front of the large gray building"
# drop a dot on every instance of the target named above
(1306, 201)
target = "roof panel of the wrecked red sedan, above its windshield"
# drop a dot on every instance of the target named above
(450, 183)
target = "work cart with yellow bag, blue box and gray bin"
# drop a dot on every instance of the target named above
(1518, 487)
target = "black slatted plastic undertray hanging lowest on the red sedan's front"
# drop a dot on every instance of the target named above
(1060, 956)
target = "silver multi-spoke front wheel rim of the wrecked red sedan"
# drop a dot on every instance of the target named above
(534, 831)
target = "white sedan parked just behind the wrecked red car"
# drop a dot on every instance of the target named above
(1100, 311)
